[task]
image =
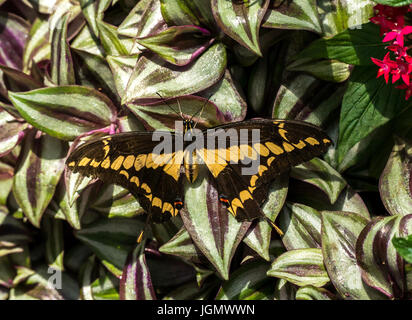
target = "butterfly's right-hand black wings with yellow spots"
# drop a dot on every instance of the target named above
(244, 171)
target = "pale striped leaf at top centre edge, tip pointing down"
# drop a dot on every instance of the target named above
(241, 21)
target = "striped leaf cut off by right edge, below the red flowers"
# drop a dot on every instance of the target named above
(394, 183)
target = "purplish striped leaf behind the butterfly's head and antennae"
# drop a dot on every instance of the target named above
(161, 115)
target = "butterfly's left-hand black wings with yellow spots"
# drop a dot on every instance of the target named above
(127, 159)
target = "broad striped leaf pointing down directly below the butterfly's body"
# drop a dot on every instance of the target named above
(214, 231)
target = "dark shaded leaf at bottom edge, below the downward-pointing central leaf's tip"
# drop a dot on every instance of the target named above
(249, 282)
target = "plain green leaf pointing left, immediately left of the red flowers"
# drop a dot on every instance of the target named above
(355, 46)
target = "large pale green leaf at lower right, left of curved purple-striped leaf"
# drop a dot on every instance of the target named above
(340, 231)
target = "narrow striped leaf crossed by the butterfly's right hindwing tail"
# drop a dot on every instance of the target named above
(259, 237)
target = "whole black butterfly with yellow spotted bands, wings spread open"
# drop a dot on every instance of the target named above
(241, 171)
